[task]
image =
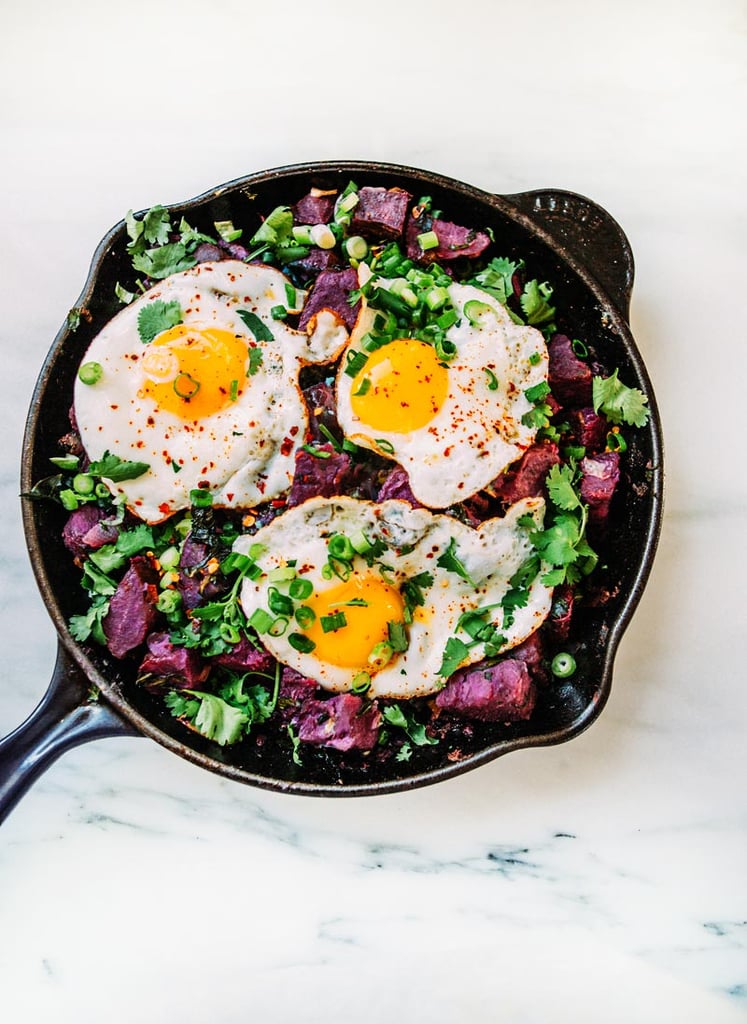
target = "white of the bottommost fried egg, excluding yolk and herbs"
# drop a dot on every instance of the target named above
(416, 540)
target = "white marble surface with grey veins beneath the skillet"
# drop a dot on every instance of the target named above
(598, 881)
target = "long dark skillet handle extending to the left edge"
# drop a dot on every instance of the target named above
(65, 718)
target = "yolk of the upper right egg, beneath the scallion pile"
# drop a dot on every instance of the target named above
(402, 387)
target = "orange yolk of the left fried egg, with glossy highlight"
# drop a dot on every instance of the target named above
(195, 372)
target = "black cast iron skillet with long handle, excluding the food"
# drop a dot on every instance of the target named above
(565, 239)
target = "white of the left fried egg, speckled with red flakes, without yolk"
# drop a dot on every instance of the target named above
(245, 453)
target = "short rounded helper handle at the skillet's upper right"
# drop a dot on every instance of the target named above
(589, 233)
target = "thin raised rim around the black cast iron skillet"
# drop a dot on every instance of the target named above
(618, 323)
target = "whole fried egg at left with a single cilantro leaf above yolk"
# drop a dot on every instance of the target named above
(213, 400)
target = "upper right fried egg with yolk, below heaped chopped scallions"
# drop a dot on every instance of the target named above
(453, 425)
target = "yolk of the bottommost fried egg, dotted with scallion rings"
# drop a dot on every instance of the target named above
(366, 606)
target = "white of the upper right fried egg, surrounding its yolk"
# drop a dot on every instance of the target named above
(478, 433)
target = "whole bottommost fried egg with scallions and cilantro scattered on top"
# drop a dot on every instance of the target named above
(349, 592)
